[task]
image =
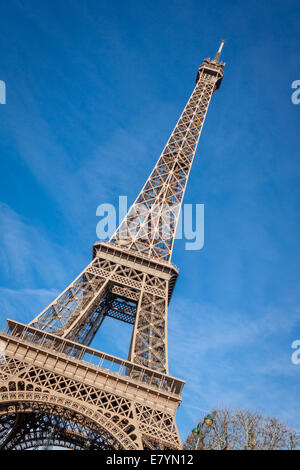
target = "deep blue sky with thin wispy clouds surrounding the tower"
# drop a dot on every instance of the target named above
(94, 89)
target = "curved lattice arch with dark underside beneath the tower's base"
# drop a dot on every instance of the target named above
(26, 424)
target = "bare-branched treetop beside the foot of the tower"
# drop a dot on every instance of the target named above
(243, 430)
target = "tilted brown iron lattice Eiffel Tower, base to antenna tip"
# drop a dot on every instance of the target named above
(55, 389)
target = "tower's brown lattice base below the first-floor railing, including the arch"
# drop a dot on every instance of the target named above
(50, 398)
